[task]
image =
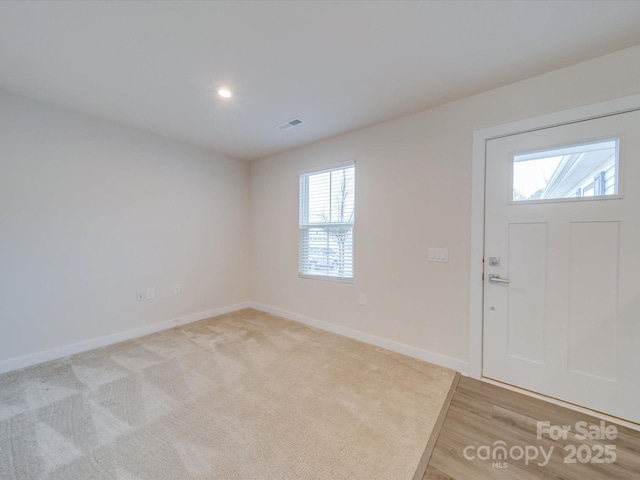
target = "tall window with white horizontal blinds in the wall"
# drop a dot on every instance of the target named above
(327, 208)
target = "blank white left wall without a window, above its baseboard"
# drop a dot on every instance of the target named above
(91, 211)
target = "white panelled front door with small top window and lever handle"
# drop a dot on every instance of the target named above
(562, 263)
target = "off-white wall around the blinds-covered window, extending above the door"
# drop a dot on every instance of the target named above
(413, 191)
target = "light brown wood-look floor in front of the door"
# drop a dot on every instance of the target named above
(481, 414)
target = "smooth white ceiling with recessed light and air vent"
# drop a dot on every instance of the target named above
(337, 65)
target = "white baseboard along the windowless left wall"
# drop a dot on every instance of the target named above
(55, 353)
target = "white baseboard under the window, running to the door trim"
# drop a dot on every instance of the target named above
(427, 356)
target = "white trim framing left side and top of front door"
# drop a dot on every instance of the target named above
(480, 138)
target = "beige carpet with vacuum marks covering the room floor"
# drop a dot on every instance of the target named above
(245, 395)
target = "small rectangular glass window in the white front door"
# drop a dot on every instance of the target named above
(587, 170)
